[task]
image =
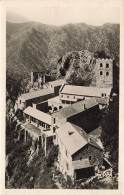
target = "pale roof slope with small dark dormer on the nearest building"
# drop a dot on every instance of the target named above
(73, 142)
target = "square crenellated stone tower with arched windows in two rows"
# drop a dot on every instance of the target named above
(104, 72)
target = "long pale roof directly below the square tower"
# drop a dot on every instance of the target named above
(85, 91)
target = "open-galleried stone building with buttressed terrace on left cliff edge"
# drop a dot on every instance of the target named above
(36, 128)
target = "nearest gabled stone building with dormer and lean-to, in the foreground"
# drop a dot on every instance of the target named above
(79, 155)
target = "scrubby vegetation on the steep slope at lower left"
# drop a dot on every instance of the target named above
(20, 174)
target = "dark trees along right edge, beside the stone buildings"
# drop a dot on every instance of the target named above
(110, 131)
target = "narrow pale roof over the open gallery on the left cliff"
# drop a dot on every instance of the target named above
(37, 114)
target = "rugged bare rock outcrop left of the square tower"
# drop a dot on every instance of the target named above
(77, 67)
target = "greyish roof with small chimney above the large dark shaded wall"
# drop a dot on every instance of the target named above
(77, 108)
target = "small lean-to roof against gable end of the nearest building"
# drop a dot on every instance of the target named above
(80, 164)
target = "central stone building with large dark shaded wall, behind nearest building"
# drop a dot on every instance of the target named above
(83, 114)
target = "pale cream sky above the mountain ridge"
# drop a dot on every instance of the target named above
(60, 15)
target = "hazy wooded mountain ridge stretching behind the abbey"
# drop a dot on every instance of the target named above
(36, 46)
